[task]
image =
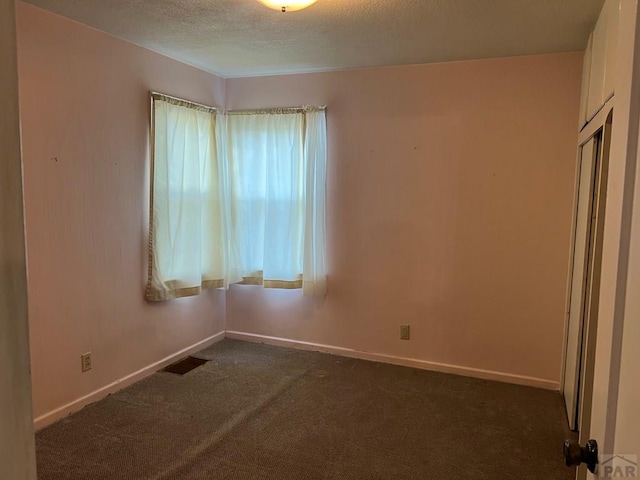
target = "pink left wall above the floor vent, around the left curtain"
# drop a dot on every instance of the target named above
(84, 101)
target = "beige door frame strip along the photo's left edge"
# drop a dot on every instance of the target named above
(17, 444)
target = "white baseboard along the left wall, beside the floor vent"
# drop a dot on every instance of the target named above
(61, 412)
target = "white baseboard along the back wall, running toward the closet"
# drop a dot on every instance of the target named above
(403, 361)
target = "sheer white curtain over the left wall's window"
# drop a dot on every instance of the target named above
(186, 251)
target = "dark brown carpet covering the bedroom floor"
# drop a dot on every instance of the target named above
(261, 412)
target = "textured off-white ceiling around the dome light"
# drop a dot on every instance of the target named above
(243, 38)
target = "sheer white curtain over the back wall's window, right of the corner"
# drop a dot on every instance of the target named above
(277, 163)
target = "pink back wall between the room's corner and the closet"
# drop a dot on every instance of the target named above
(450, 192)
